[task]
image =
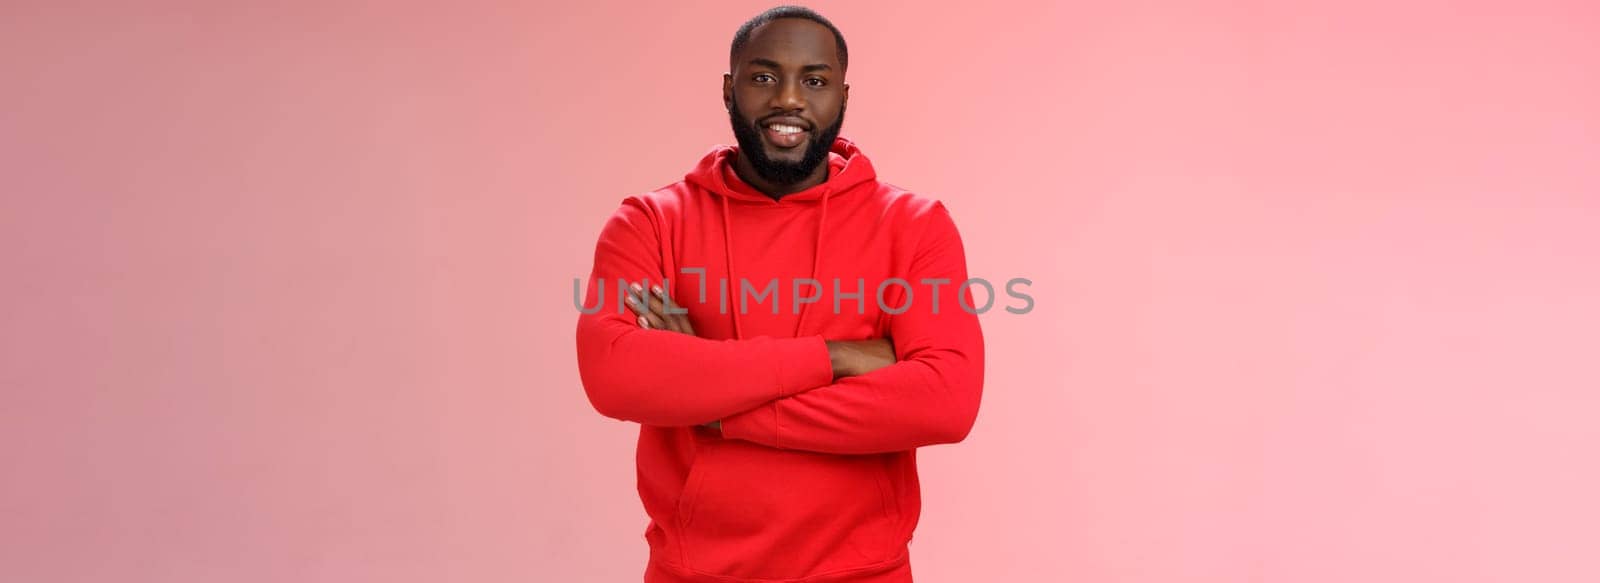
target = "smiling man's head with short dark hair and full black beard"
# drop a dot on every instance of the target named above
(786, 99)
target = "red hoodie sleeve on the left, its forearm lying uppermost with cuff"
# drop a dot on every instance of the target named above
(668, 379)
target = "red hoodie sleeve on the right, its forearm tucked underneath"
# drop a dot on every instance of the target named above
(929, 396)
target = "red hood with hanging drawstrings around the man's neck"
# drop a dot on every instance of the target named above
(847, 169)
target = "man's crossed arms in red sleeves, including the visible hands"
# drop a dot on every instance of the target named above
(801, 393)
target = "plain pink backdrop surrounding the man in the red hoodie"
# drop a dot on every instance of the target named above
(287, 291)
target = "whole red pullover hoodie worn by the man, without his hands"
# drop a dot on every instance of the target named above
(810, 480)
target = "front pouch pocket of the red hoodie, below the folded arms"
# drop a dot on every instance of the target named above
(753, 512)
